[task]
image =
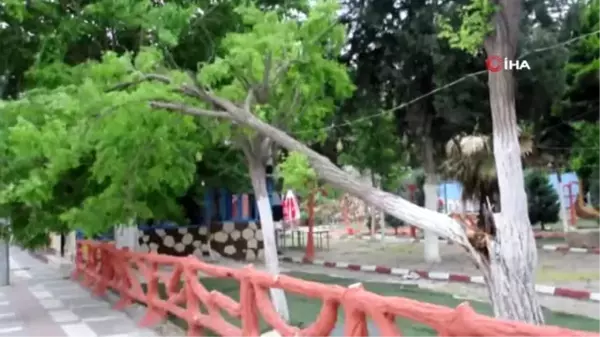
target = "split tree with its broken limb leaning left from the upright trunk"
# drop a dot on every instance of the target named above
(505, 254)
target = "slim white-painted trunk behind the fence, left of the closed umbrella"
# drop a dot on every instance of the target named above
(258, 174)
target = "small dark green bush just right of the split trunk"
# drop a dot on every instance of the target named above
(542, 199)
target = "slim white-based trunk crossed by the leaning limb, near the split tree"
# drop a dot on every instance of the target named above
(432, 242)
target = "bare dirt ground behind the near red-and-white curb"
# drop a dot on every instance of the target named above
(569, 270)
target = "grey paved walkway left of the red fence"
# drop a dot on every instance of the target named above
(43, 301)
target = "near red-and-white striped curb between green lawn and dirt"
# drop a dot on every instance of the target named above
(582, 295)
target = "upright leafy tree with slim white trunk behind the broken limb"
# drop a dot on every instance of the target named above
(279, 70)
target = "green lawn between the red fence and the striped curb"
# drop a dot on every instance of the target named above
(304, 310)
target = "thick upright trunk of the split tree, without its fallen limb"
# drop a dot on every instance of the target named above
(513, 254)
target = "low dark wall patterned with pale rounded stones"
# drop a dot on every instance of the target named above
(236, 240)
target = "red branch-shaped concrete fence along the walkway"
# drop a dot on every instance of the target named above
(107, 268)
